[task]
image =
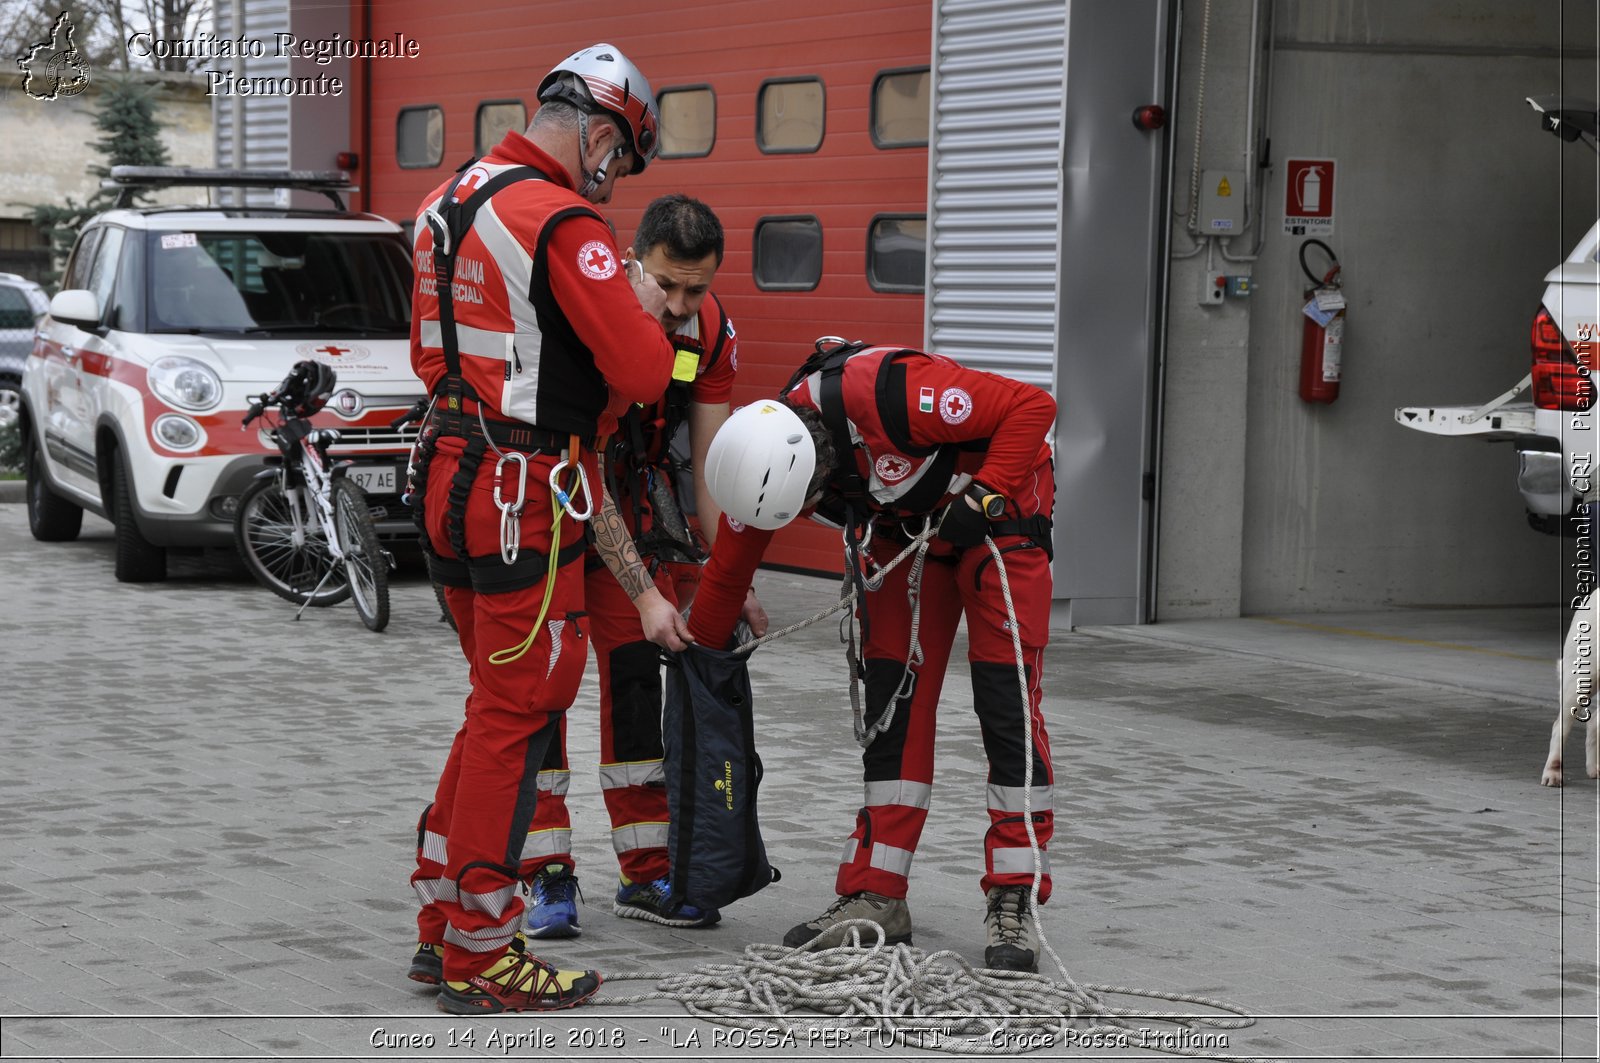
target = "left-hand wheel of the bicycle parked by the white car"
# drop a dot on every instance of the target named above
(265, 534)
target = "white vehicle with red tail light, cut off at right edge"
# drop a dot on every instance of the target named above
(1554, 428)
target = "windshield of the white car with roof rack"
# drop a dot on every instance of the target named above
(279, 283)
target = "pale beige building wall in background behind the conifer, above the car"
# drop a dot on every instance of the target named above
(50, 143)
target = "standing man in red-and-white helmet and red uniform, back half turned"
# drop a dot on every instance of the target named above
(529, 339)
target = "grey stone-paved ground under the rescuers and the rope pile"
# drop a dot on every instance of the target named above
(210, 814)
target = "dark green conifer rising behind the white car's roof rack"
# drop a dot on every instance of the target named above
(132, 137)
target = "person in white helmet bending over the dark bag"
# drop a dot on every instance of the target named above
(886, 435)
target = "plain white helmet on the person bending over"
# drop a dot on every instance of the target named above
(761, 465)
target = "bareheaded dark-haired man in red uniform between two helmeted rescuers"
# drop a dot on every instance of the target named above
(679, 243)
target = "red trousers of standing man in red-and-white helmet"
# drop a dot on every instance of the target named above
(497, 817)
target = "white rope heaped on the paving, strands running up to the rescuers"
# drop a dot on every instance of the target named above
(937, 1001)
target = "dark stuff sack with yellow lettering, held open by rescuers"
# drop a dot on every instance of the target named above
(713, 772)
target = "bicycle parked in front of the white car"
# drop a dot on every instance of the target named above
(303, 529)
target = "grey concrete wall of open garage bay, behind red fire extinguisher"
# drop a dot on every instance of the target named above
(1452, 206)
